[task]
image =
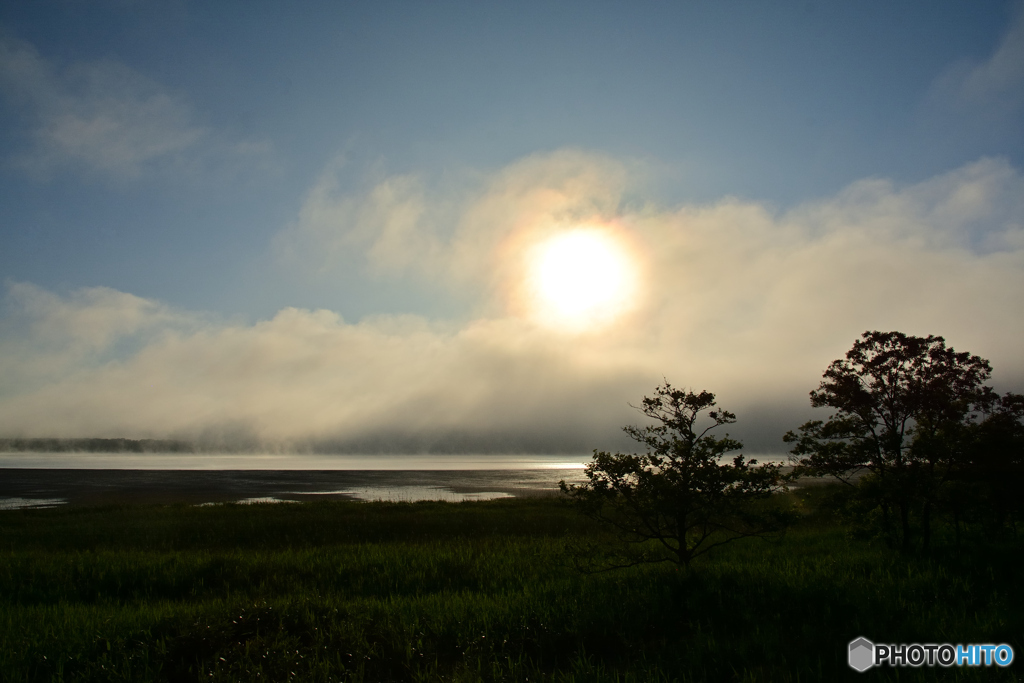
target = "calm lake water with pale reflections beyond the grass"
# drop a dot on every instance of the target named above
(49, 480)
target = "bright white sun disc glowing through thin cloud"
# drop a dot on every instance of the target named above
(581, 279)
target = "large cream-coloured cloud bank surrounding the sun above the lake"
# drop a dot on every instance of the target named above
(740, 298)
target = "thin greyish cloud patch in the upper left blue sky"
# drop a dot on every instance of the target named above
(103, 117)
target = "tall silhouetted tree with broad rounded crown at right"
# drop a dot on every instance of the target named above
(907, 410)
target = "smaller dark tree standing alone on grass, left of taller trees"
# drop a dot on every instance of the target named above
(682, 498)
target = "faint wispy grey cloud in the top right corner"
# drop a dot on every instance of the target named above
(992, 90)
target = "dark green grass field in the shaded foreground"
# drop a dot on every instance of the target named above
(466, 592)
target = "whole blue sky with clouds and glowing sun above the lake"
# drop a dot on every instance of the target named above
(492, 228)
